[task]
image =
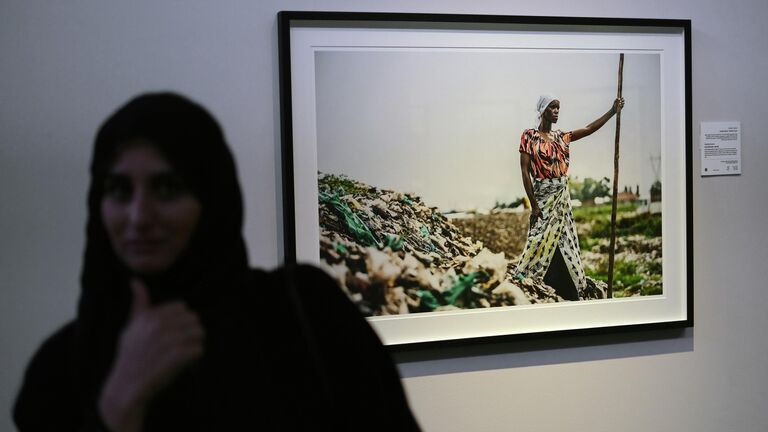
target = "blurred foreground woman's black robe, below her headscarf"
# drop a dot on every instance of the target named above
(263, 369)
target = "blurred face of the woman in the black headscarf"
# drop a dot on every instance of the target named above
(148, 212)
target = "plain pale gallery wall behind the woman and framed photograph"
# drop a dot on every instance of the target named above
(65, 65)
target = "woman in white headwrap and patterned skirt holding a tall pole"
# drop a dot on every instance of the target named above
(551, 250)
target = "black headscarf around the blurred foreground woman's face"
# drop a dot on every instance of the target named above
(192, 142)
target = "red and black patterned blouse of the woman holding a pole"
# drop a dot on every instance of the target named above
(548, 159)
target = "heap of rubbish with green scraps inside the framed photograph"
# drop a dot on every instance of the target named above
(393, 254)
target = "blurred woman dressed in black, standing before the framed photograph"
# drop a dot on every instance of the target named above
(173, 330)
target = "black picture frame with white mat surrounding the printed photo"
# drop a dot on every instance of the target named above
(306, 38)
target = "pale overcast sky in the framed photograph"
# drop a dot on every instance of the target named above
(446, 125)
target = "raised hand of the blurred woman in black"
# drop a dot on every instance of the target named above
(155, 345)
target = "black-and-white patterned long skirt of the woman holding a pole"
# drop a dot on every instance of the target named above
(555, 229)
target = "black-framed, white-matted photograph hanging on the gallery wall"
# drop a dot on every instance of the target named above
(473, 178)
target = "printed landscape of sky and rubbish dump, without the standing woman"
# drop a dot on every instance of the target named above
(421, 200)
